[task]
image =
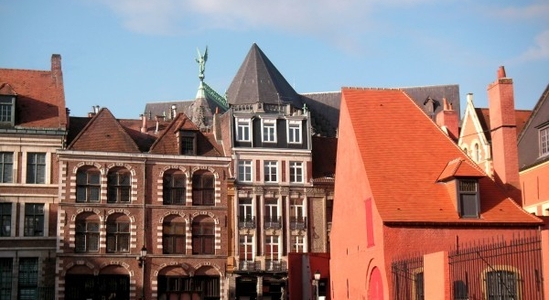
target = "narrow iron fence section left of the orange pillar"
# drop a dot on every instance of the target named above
(408, 278)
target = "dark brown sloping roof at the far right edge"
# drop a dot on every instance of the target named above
(528, 138)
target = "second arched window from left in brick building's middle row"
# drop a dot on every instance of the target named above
(118, 234)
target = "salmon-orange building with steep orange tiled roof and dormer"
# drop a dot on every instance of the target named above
(404, 189)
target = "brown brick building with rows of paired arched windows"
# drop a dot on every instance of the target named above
(143, 211)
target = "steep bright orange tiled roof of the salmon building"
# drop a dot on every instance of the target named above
(403, 179)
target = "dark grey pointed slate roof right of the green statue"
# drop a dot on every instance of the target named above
(258, 80)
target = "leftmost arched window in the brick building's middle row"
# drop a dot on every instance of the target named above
(86, 237)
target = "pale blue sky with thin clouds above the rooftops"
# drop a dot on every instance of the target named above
(122, 54)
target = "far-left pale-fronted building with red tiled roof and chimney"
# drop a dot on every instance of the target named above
(33, 125)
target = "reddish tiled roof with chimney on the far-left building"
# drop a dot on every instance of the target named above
(40, 96)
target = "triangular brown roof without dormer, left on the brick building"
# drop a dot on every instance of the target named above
(103, 133)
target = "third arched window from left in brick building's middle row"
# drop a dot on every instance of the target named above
(173, 235)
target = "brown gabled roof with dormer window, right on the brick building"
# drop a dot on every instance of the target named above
(167, 142)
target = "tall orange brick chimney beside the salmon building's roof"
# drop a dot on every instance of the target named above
(504, 134)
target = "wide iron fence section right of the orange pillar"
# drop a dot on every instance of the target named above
(499, 268)
